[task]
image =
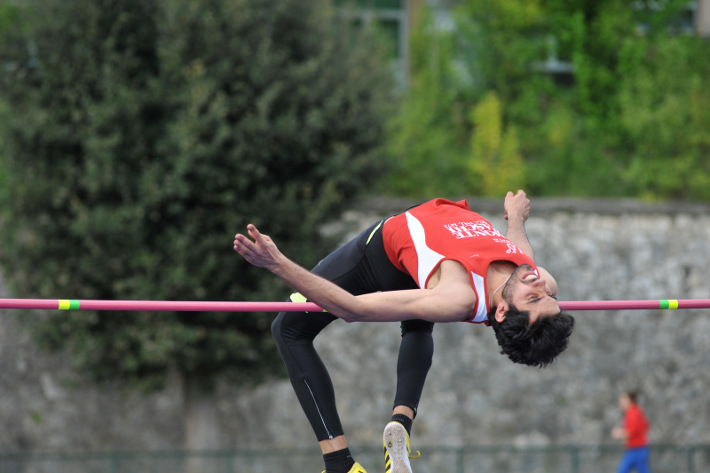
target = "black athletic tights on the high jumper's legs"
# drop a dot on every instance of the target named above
(360, 266)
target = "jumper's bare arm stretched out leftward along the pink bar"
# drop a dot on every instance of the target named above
(449, 298)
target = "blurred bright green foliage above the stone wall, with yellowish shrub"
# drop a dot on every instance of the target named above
(595, 98)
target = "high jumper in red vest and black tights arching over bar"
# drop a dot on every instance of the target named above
(434, 263)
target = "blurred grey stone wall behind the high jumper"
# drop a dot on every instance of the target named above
(474, 396)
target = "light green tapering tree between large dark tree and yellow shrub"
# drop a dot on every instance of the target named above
(428, 139)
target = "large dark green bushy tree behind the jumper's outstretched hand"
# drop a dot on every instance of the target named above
(141, 135)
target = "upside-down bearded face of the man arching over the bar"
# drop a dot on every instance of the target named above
(527, 291)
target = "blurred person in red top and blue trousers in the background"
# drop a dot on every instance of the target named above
(634, 433)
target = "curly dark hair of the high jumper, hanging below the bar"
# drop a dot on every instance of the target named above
(532, 344)
